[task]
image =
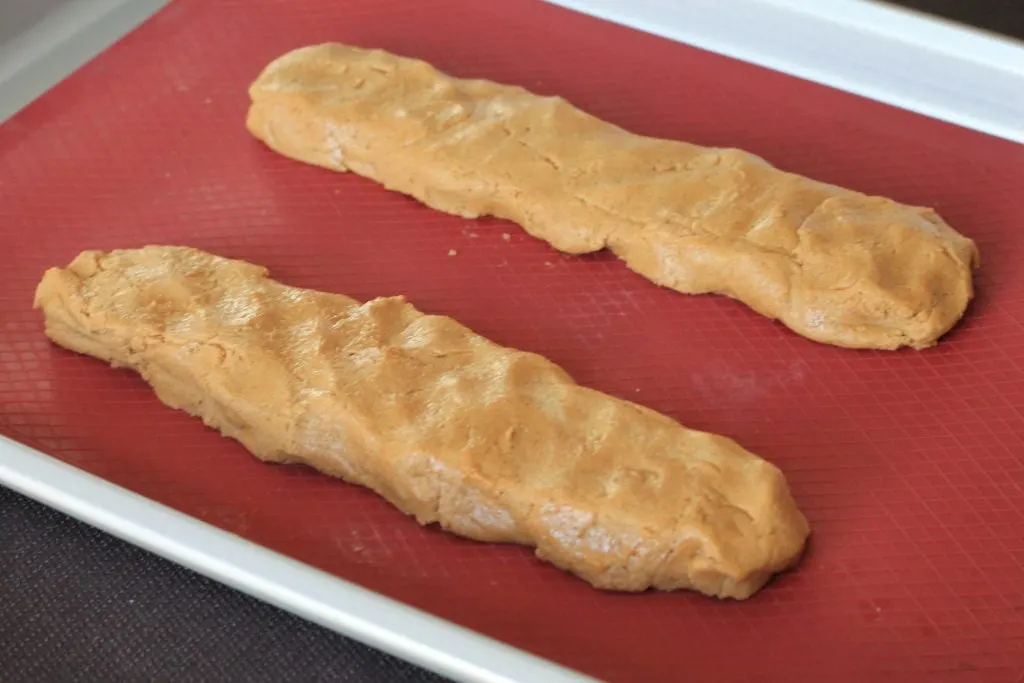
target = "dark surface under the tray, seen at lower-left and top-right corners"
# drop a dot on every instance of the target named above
(79, 606)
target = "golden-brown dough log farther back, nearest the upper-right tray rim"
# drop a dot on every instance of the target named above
(833, 265)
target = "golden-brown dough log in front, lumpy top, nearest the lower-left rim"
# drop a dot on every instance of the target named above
(494, 444)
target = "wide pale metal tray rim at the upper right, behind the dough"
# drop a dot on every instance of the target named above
(911, 61)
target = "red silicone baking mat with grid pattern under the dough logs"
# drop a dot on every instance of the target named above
(910, 465)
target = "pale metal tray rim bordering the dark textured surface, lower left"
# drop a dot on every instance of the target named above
(318, 596)
